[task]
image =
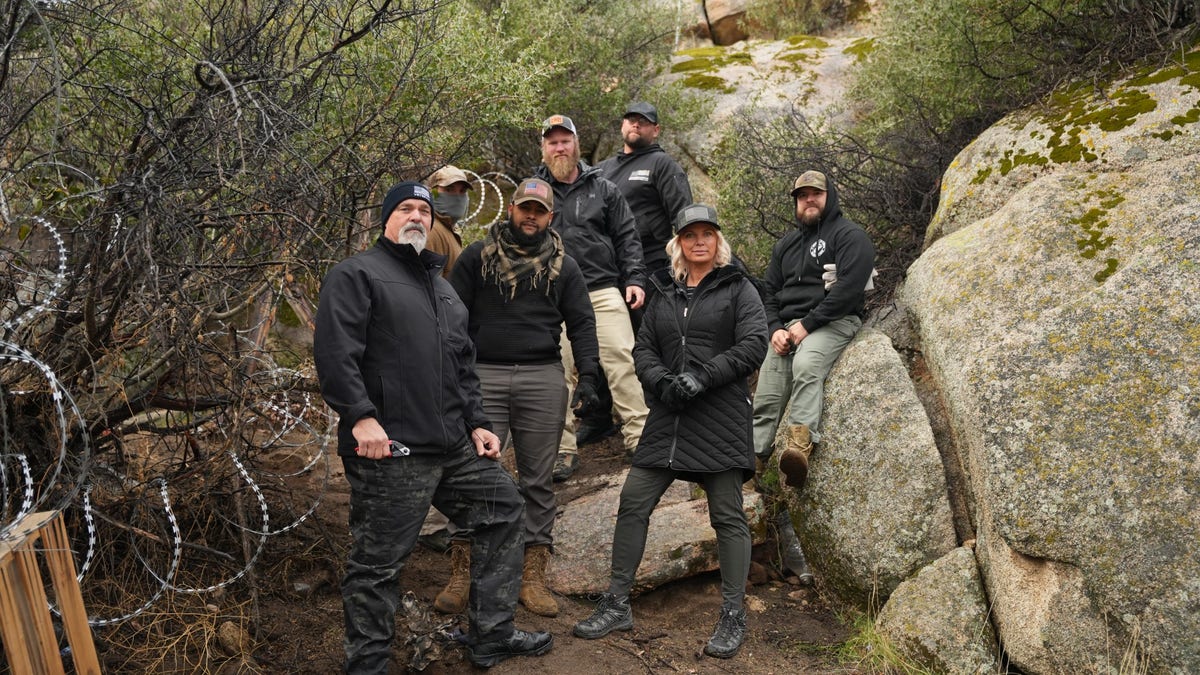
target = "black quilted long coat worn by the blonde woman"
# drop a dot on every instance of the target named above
(722, 337)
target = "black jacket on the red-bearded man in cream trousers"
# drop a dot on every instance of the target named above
(598, 229)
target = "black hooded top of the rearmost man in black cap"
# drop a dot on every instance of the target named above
(657, 189)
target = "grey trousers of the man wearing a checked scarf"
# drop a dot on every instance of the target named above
(529, 402)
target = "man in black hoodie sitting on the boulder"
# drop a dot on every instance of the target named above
(809, 324)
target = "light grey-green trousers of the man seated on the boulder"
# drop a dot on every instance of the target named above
(799, 378)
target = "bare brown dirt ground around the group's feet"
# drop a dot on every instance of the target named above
(791, 628)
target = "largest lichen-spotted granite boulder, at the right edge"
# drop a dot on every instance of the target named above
(1059, 309)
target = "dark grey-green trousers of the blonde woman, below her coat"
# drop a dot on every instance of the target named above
(644, 489)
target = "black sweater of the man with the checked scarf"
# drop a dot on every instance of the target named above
(526, 328)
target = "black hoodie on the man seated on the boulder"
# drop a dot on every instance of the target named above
(794, 285)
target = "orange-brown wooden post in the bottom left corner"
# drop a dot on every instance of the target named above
(26, 625)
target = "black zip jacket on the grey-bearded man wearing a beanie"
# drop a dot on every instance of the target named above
(392, 344)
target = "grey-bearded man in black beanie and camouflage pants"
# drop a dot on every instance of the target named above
(397, 363)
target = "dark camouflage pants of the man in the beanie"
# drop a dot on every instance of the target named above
(389, 500)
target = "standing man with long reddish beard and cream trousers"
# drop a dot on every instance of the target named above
(599, 232)
